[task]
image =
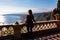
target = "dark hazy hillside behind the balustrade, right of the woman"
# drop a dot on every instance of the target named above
(42, 16)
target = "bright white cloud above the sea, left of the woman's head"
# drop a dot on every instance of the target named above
(8, 9)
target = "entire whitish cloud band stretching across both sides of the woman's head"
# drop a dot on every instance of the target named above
(11, 9)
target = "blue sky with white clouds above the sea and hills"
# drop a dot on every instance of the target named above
(18, 6)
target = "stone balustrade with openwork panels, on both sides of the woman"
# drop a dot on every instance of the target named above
(16, 30)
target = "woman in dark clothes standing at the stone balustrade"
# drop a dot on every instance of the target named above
(29, 21)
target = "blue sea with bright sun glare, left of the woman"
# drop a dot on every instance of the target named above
(11, 18)
